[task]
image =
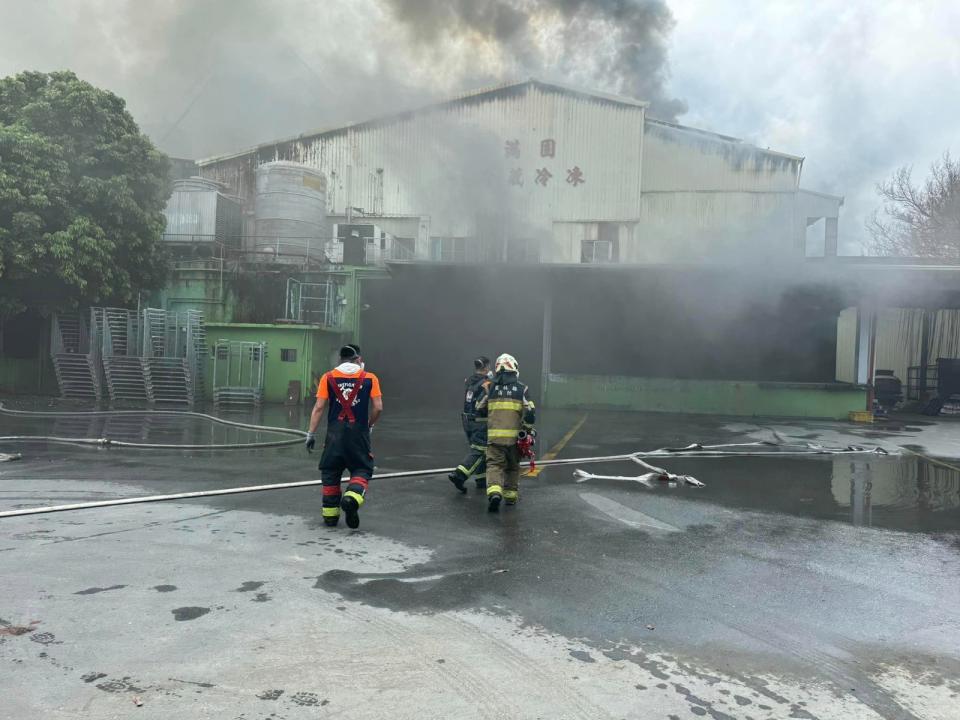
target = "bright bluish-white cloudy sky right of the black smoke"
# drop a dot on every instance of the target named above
(858, 88)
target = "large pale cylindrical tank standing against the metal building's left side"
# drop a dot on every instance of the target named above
(290, 213)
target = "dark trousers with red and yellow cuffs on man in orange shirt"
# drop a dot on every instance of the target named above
(346, 447)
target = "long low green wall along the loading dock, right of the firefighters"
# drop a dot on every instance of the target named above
(712, 397)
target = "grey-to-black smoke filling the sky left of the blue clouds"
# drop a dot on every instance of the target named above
(220, 75)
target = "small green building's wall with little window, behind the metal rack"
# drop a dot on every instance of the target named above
(315, 349)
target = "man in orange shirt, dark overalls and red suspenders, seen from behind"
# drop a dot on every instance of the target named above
(355, 403)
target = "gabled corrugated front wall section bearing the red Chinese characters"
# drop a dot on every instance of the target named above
(483, 154)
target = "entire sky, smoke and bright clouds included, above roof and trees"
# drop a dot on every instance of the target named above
(858, 88)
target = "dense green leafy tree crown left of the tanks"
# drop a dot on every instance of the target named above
(82, 192)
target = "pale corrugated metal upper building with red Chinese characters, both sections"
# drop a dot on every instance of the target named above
(538, 171)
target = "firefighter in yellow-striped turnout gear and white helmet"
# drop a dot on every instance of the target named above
(508, 411)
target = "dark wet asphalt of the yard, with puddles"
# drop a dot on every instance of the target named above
(825, 569)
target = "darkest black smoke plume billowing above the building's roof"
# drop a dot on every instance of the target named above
(619, 45)
